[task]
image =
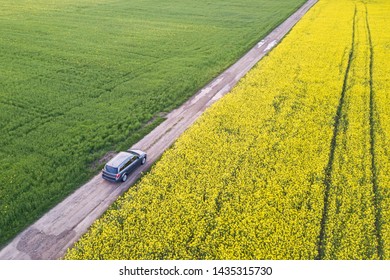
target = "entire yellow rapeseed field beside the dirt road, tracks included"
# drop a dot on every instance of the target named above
(292, 164)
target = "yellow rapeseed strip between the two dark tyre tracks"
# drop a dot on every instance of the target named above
(350, 231)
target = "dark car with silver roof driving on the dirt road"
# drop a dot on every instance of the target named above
(120, 166)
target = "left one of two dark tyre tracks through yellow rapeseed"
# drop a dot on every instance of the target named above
(333, 144)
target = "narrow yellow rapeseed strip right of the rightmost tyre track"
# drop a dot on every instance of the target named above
(378, 17)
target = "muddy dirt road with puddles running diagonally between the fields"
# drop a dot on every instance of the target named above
(58, 229)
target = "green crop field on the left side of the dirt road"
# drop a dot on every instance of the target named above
(80, 78)
